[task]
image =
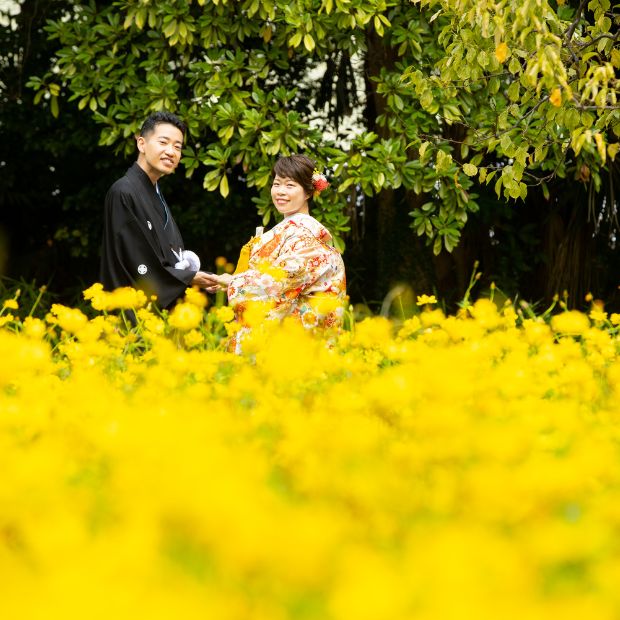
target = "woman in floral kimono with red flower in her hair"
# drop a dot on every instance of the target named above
(292, 269)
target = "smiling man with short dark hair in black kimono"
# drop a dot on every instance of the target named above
(142, 246)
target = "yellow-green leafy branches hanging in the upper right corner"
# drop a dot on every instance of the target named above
(534, 84)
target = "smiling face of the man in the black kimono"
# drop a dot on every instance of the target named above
(160, 150)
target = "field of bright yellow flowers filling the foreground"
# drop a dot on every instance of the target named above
(449, 467)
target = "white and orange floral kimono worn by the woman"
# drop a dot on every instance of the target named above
(292, 271)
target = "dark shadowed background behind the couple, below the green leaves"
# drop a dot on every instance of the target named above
(54, 176)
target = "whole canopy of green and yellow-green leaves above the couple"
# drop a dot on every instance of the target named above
(510, 92)
